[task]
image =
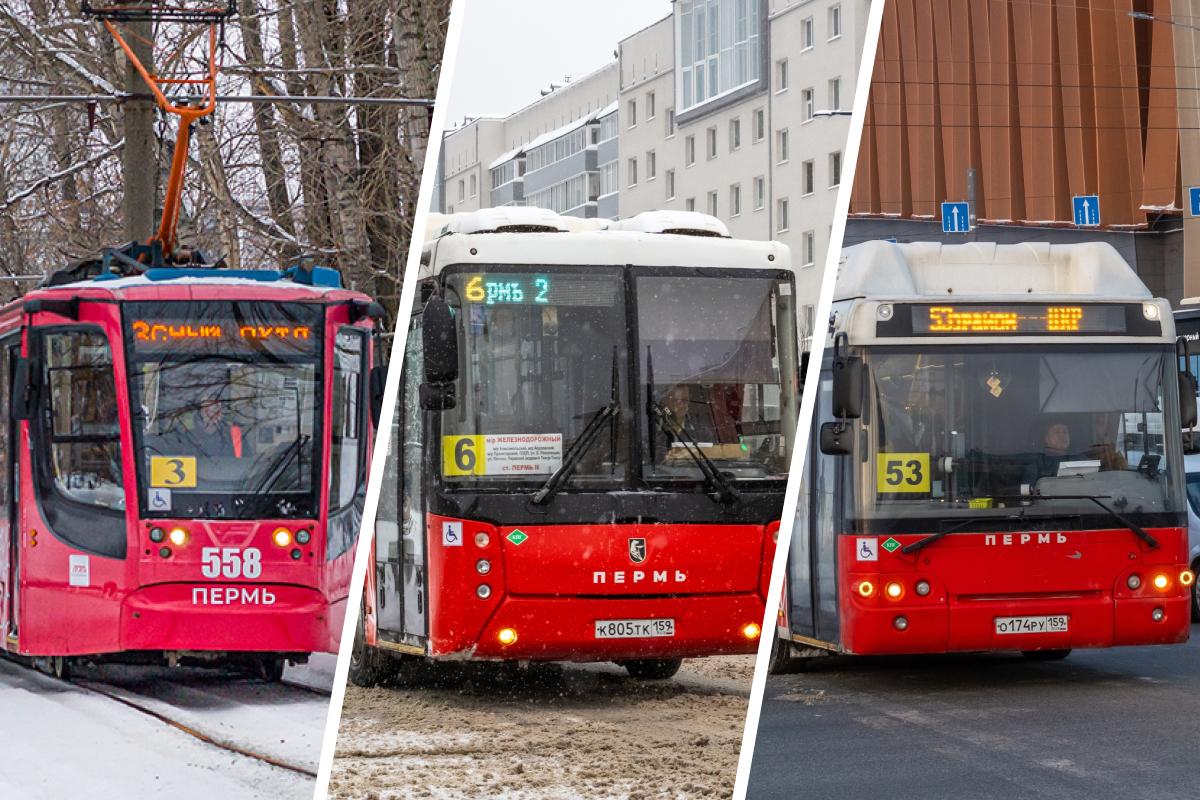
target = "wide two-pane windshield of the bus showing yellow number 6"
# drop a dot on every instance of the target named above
(548, 363)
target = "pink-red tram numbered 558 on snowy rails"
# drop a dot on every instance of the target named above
(183, 466)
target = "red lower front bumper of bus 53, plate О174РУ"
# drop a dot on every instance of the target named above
(970, 627)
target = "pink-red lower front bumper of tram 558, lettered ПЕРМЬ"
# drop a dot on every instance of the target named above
(233, 618)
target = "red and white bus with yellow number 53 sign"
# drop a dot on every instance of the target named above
(992, 467)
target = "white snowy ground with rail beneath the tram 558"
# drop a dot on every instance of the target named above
(63, 739)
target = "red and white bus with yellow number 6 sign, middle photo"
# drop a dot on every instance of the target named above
(591, 448)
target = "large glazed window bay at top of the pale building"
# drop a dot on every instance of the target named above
(719, 49)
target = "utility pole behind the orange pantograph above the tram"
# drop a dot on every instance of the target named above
(139, 161)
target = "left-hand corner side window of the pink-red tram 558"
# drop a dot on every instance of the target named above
(86, 446)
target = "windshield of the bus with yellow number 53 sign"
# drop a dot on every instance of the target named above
(963, 431)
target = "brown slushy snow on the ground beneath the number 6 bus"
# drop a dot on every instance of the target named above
(547, 733)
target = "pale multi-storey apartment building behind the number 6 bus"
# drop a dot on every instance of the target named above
(736, 109)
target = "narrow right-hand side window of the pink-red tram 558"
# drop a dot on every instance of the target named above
(346, 443)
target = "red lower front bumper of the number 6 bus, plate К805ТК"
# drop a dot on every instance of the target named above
(565, 629)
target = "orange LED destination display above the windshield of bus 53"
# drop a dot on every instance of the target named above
(1018, 320)
